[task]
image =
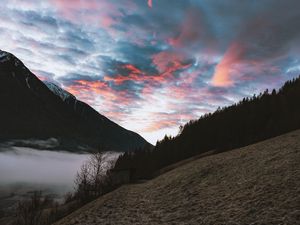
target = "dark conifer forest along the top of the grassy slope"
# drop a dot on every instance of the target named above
(251, 120)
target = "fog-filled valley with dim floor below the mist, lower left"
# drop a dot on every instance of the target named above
(26, 170)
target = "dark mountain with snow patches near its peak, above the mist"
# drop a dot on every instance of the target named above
(43, 114)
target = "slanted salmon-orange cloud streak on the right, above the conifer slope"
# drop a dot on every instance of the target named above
(224, 72)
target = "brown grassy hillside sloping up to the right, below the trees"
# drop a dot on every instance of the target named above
(257, 184)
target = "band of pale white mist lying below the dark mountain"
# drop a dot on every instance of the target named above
(39, 169)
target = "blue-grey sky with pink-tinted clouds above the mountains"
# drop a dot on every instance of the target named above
(153, 65)
